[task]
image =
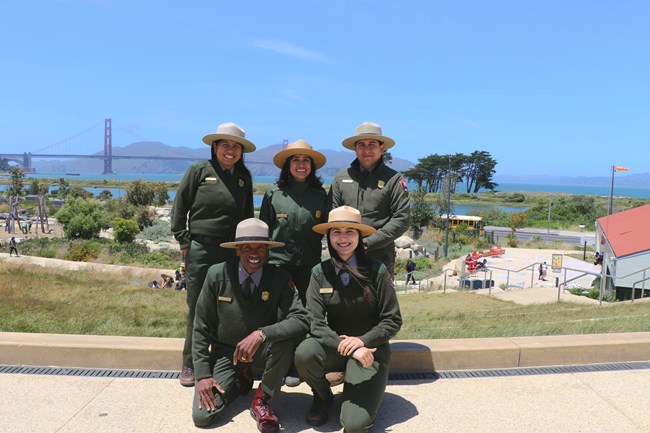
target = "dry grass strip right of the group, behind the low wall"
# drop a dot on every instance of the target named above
(469, 315)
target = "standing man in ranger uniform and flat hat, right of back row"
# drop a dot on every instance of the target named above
(377, 191)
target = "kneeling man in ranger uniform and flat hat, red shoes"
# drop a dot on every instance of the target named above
(248, 314)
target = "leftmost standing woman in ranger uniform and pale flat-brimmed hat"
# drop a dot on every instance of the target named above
(212, 198)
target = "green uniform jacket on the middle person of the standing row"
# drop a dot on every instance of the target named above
(291, 213)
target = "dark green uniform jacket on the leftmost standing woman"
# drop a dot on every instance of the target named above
(214, 201)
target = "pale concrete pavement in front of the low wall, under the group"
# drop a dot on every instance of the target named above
(597, 402)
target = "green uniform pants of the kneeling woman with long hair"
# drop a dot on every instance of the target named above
(363, 388)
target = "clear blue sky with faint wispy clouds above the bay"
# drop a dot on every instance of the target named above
(547, 87)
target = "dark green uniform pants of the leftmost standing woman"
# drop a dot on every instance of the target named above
(199, 259)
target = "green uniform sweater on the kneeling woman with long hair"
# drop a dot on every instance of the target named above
(337, 310)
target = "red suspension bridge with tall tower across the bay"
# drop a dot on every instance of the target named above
(25, 159)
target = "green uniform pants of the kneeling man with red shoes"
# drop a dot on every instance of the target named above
(273, 358)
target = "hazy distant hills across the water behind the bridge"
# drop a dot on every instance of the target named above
(335, 160)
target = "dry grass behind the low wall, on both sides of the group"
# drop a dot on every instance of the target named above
(41, 300)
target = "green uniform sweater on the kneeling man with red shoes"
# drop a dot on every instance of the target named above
(224, 317)
